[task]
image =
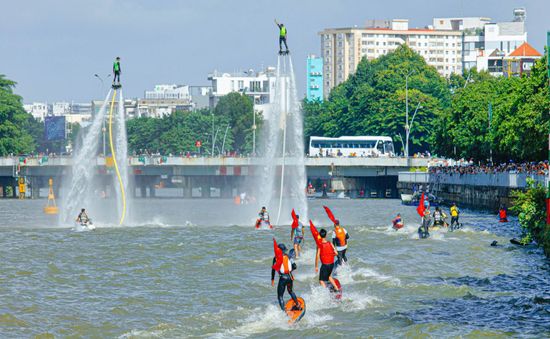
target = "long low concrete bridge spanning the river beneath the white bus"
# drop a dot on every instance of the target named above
(372, 176)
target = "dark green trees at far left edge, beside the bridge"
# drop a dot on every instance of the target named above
(14, 121)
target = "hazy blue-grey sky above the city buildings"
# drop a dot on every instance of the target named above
(52, 49)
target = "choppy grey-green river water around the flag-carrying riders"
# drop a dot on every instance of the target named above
(197, 268)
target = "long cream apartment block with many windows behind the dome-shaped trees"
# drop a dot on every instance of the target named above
(343, 48)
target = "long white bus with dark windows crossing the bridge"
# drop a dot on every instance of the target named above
(360, 146)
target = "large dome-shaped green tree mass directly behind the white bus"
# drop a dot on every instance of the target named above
(373, 101)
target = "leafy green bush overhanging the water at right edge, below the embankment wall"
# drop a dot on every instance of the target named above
(531, 209)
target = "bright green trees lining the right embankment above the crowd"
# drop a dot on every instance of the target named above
(520, 117)
